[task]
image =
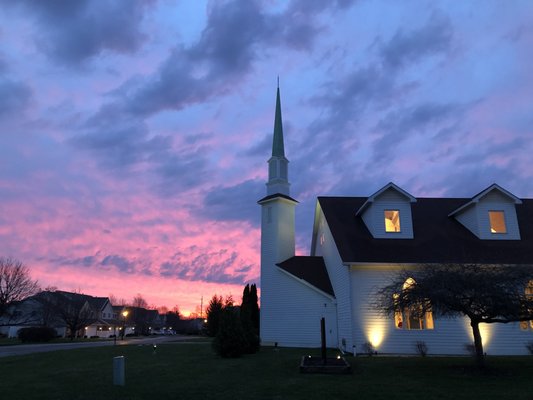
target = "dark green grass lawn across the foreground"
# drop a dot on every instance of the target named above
(192, 371)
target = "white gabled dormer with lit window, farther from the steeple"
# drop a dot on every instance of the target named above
(491, 214)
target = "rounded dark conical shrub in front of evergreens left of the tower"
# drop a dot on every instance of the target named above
(230, 340)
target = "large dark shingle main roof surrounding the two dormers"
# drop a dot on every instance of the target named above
(437, 237)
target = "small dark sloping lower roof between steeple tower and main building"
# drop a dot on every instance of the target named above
(310, 269)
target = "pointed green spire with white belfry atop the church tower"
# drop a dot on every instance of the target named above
(278, 165)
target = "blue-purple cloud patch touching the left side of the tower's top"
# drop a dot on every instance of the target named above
(238, 202)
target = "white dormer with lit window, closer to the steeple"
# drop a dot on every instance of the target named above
(387, 213)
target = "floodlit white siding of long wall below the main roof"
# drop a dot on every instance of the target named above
(450, 336)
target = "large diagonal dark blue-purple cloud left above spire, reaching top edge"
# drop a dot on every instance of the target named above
(236, 34)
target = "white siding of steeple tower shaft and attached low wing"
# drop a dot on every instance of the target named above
(290, 310)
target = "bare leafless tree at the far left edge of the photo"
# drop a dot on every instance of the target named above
(15, 283)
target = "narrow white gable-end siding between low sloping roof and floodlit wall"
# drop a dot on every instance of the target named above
(340, 280)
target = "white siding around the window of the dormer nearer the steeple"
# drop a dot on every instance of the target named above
(374, 215)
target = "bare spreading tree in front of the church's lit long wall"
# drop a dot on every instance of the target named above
(483, 293)
